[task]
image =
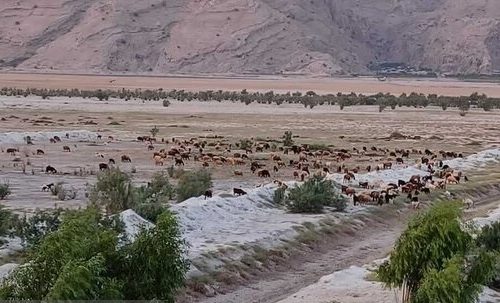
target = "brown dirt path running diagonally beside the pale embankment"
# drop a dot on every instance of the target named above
(374, 241)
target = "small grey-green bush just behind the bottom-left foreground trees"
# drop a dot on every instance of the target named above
(34, 228)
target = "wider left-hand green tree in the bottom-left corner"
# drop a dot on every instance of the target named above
(62, 257)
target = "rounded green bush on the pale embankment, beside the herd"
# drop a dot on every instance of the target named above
(313, 195)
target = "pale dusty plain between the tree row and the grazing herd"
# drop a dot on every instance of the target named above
(124, 121)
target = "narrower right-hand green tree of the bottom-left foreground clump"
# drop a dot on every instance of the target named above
(156, 262)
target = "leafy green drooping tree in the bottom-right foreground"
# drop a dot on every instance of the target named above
(436, 259)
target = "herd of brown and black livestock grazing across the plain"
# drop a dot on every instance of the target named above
(264, 160)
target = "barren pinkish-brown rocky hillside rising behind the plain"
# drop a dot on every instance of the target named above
(249, 36)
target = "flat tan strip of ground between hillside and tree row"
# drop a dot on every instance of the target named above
(361, 85)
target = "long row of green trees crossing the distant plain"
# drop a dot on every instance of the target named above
(309, 99)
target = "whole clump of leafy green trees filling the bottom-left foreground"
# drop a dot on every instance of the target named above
(84, 260)
